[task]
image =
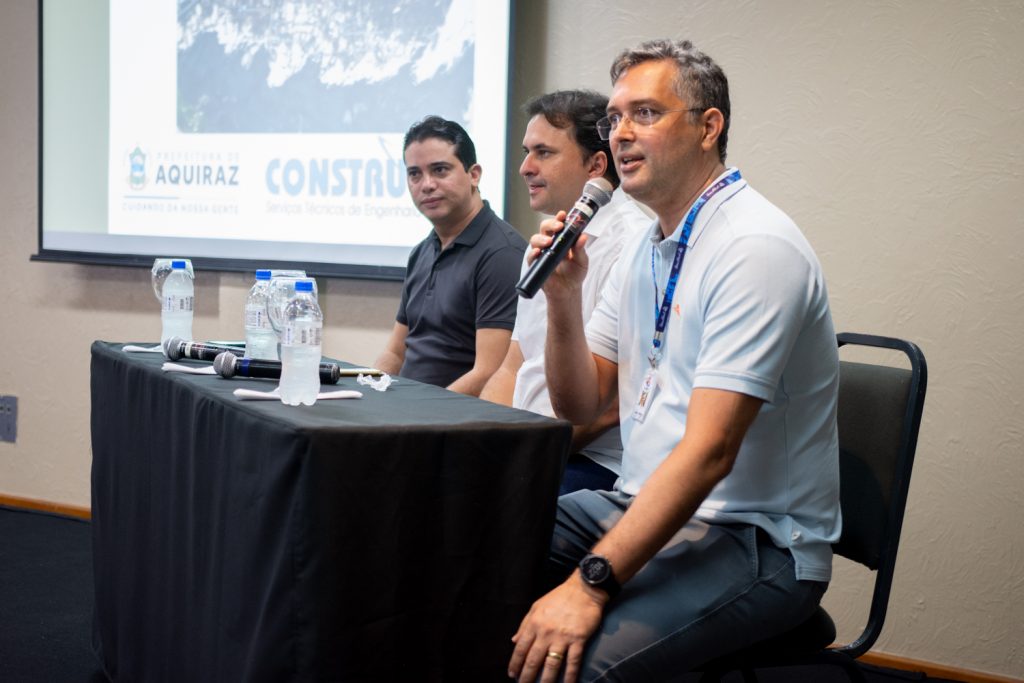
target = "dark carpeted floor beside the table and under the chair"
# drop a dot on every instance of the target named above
(47, 608)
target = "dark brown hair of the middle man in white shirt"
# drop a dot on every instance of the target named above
(579, 110)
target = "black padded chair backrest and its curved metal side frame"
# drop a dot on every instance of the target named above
(880, 409)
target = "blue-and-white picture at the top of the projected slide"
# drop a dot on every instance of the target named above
(322, 67)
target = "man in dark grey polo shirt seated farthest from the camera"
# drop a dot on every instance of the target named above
(459, 302)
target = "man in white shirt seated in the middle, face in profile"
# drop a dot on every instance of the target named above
(562, 152)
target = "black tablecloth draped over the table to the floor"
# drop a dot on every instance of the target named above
(397, 537)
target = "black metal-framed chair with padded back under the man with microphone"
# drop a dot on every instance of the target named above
(880, 410)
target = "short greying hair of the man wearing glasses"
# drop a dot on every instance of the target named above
(700, 81)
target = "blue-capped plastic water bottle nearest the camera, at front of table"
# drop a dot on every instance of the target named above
(301, 348)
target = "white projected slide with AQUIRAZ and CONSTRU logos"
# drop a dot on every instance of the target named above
(281, 123)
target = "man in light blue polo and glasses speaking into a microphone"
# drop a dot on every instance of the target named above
(716, 332)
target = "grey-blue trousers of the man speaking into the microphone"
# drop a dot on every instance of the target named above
(713, 589)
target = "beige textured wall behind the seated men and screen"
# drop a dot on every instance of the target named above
(891, 132)
